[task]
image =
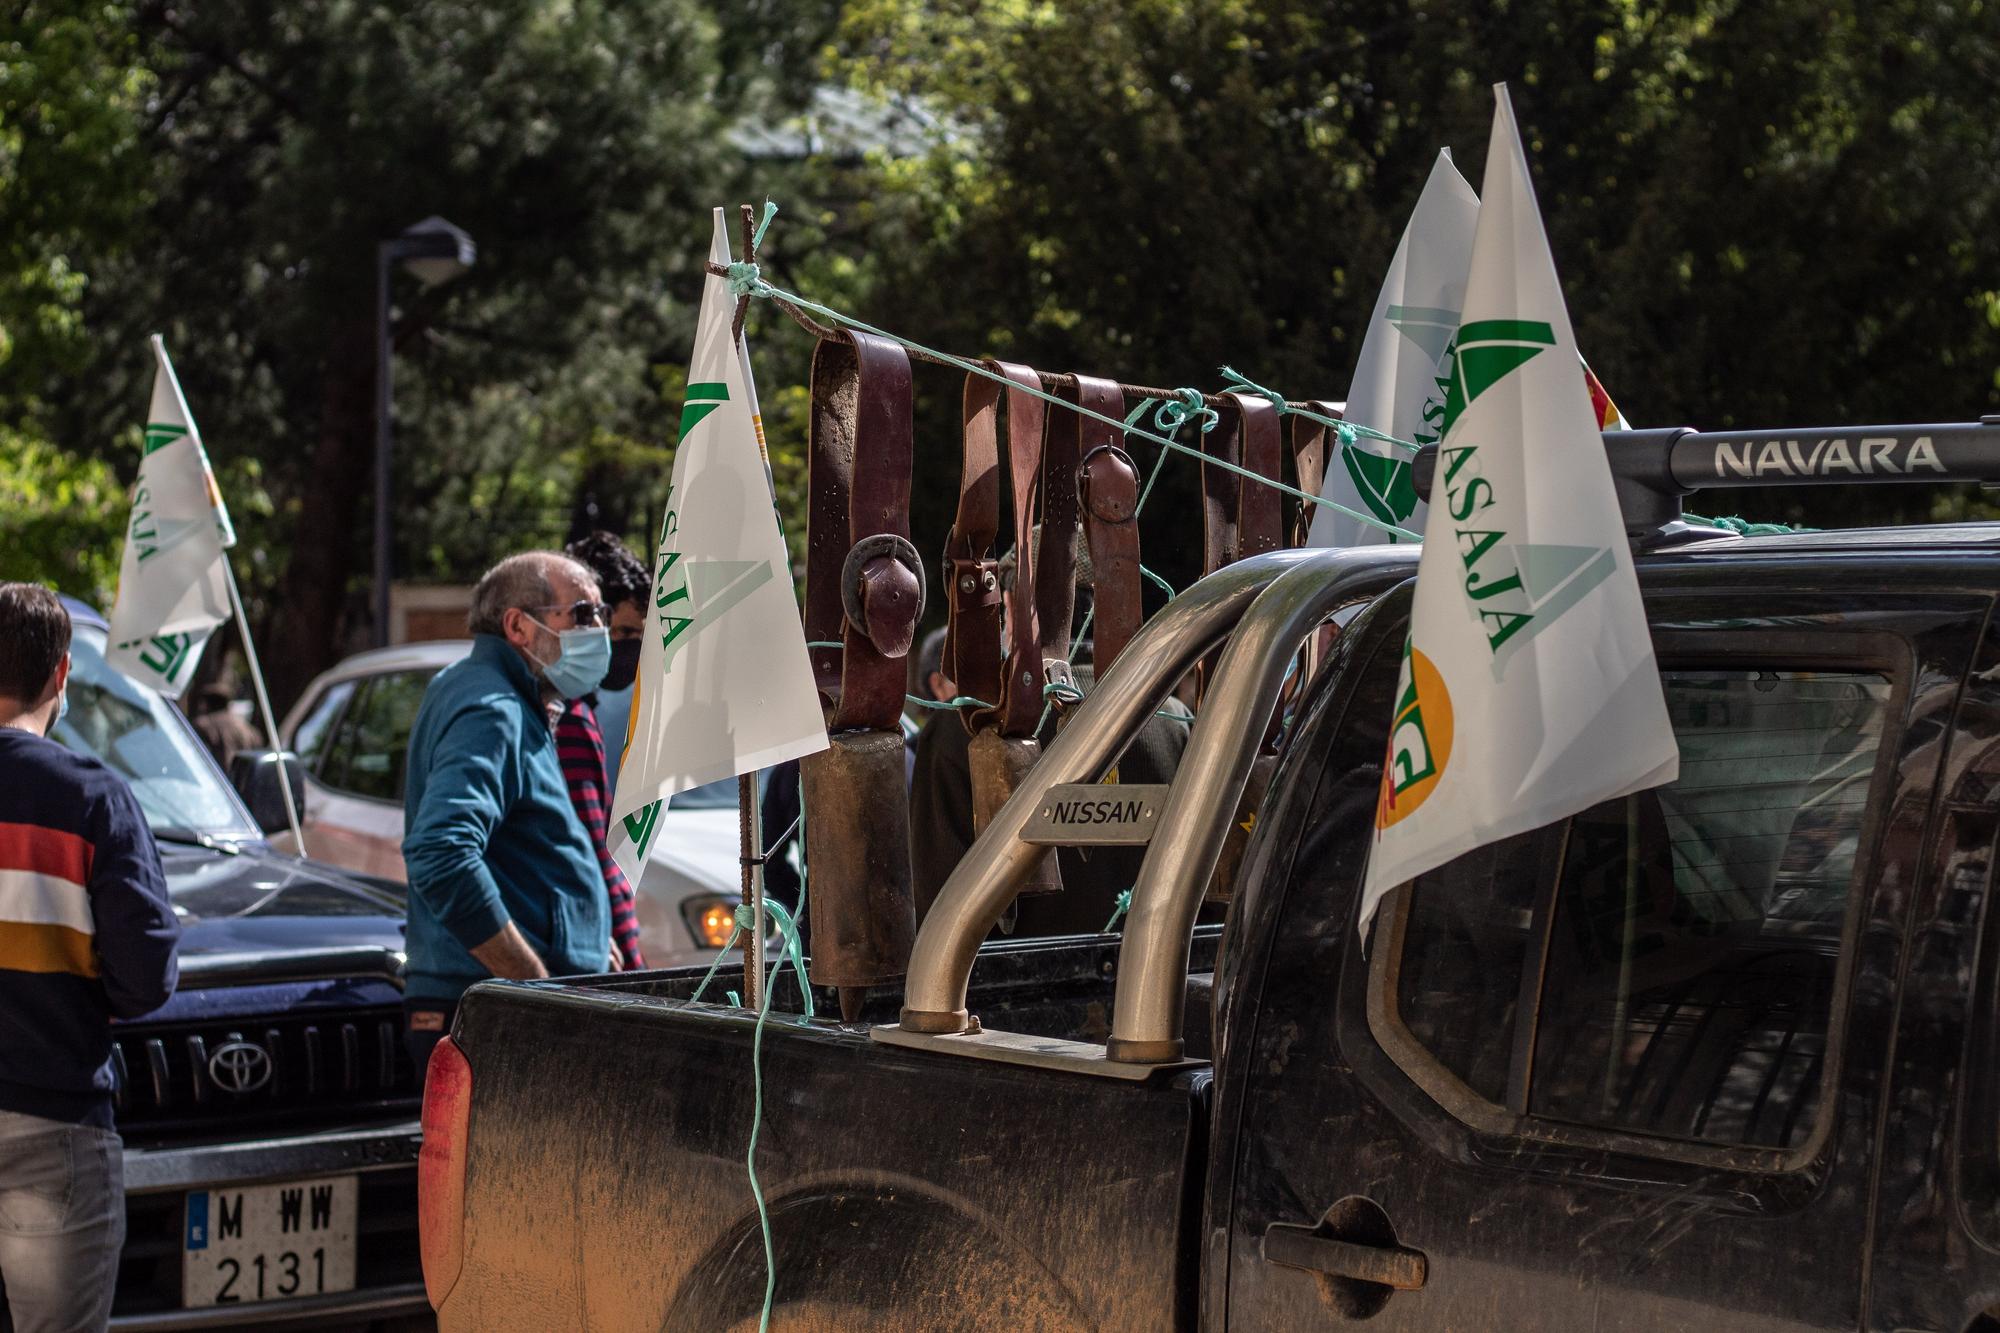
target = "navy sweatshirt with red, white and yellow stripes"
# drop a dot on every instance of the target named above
(87, 930)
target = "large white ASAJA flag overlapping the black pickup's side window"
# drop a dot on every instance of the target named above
(1529, 688)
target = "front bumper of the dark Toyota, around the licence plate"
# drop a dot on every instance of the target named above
(389, 1276)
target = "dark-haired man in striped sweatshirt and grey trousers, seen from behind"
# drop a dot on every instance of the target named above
(87, 934)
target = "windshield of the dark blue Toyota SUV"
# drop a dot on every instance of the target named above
(143, 740)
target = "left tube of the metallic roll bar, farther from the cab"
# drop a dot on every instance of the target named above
(999, 862)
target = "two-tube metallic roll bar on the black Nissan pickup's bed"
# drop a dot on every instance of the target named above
(1279, 597)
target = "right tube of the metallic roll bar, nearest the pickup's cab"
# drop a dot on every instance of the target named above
(1153, 964)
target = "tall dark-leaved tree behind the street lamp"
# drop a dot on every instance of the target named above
(579, 143)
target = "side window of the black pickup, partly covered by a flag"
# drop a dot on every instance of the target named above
(1663, 964)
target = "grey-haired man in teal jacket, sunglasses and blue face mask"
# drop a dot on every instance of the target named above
(503, 878)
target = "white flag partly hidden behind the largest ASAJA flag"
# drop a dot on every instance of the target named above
(1397, 381)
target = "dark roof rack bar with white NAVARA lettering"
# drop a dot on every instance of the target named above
(1655, 469)
